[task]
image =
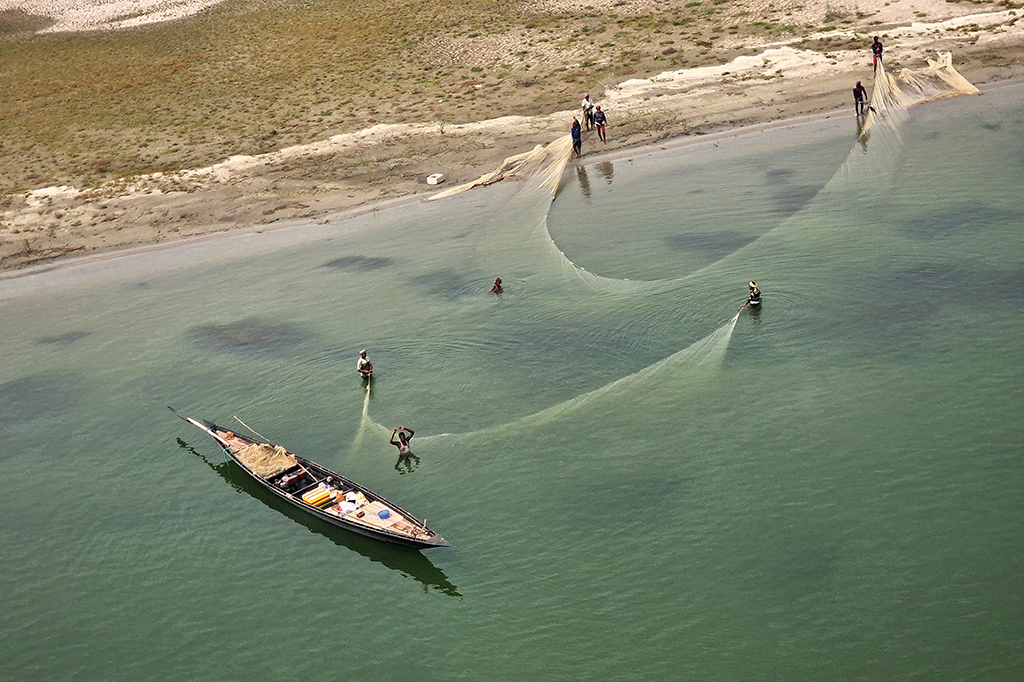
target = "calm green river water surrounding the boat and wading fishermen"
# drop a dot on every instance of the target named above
(636, 487)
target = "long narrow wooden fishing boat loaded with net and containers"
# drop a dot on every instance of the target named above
(320, 492)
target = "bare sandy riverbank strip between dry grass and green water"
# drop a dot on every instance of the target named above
(810, 74)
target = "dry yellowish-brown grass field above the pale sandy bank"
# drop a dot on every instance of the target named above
(250, 76)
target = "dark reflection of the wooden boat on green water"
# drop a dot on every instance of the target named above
(407, 562)
